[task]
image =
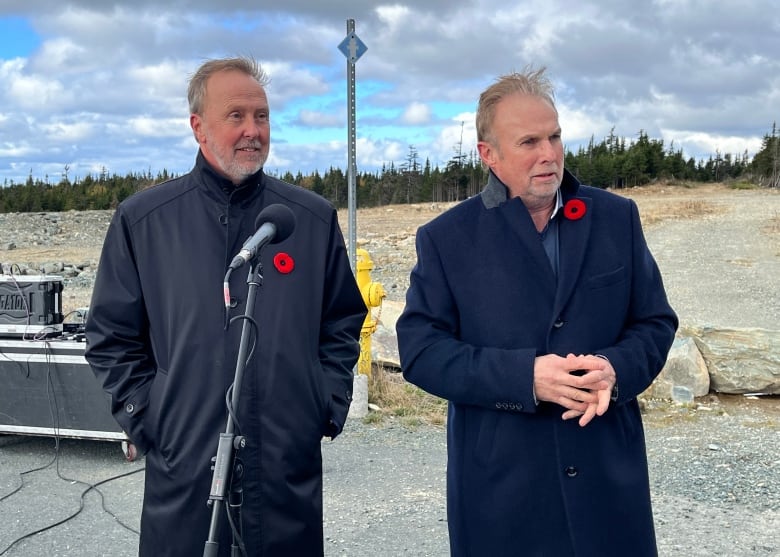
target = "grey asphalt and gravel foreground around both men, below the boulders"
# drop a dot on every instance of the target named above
(714, 476)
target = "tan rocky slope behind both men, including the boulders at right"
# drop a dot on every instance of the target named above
(718, 250)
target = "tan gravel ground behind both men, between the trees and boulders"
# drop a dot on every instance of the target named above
(718, 249)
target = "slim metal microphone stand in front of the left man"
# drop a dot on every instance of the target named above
(228, 468)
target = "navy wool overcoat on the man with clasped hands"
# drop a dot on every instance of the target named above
(483, 303)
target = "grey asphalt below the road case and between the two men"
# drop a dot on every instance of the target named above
(384, 495)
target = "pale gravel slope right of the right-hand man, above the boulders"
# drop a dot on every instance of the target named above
(720, 258)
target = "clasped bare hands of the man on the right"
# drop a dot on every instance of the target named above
(581, 384)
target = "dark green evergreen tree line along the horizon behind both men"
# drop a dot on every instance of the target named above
(611, 163)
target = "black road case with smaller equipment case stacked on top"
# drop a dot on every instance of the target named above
(47, 388)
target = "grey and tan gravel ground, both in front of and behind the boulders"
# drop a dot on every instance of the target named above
(714, 466)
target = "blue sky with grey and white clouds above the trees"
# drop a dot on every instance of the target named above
(101, 84)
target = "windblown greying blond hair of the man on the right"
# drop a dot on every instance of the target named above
(530, 81)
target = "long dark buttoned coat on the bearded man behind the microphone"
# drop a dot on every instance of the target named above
(157, 341)
